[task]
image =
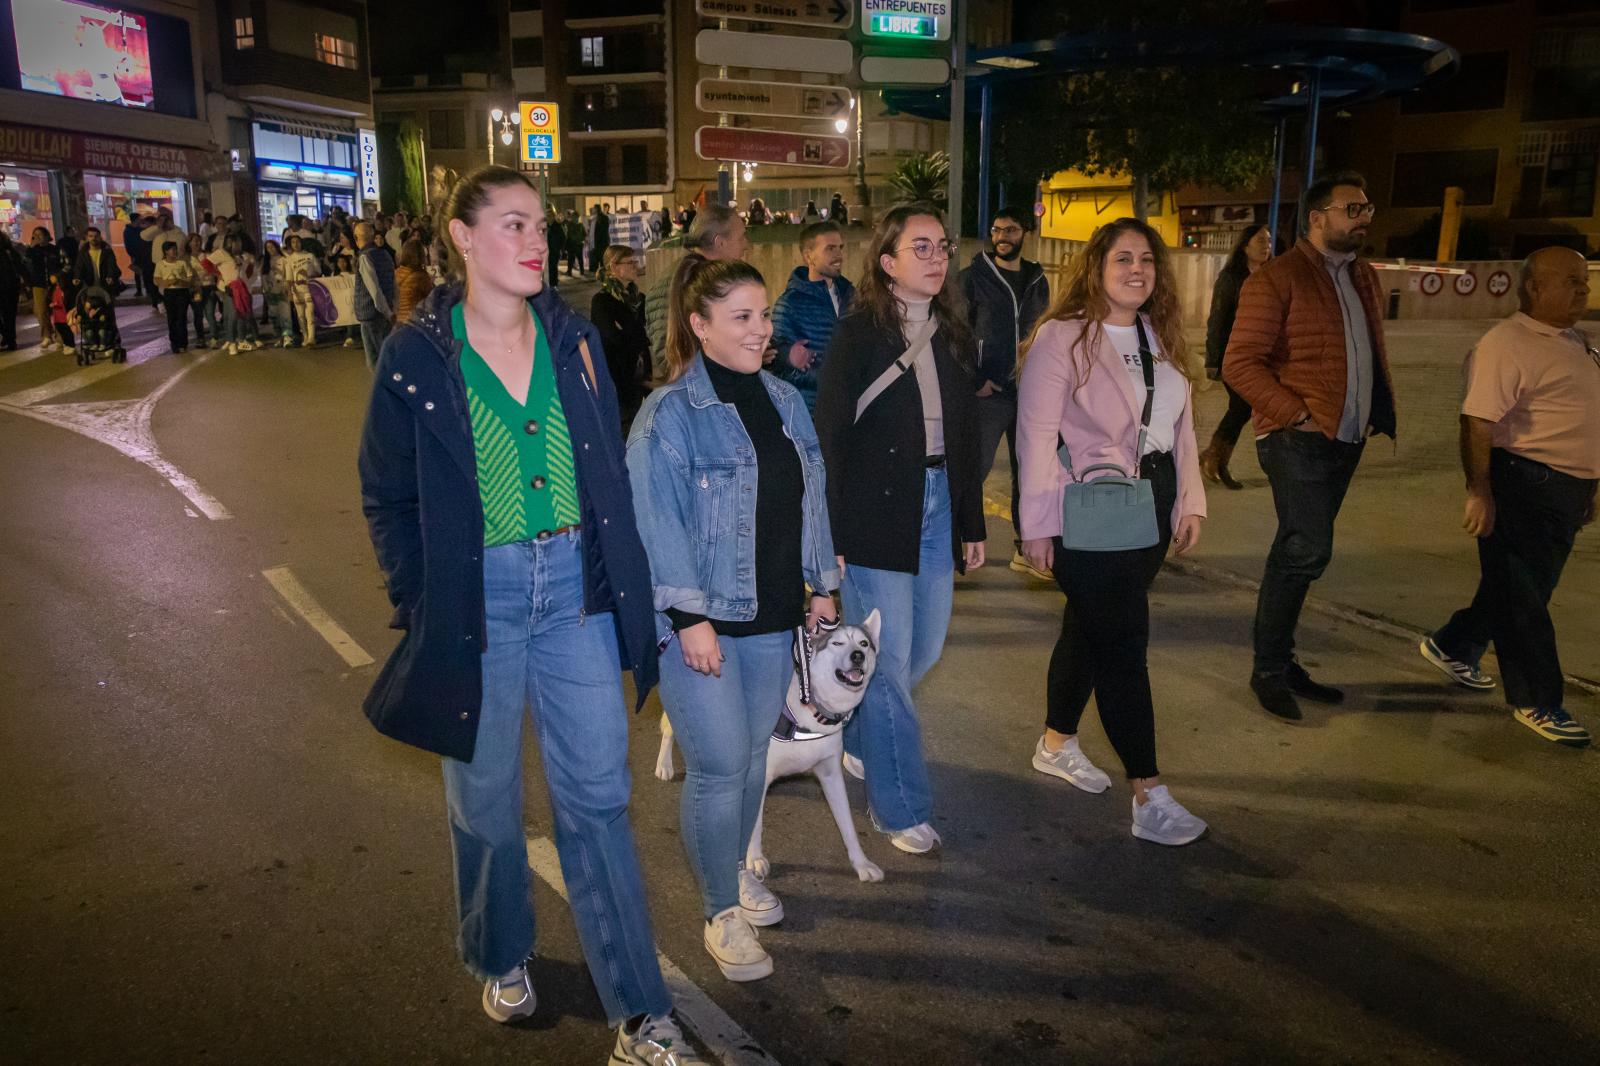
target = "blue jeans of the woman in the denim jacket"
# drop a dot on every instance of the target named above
(722, 724)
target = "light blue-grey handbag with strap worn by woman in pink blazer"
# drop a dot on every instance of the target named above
(1114, 513)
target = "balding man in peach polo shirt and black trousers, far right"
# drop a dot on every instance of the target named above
(1530, 444)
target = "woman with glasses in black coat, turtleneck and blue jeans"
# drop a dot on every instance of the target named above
(905, 494)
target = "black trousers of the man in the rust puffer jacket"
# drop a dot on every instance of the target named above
(1310, 476)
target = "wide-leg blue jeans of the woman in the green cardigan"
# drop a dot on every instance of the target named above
(545, 654)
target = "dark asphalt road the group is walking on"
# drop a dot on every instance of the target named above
(210, 856)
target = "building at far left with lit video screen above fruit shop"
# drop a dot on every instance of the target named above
(103, 116)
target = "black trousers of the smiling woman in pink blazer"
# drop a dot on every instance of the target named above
(1106, 633)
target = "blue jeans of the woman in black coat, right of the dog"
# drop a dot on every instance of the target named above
(916, 615)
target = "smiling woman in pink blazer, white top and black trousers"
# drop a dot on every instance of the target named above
(1082, 383)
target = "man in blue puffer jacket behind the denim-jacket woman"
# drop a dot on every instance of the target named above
(806, 313)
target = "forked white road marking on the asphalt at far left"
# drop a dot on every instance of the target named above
(122, 425)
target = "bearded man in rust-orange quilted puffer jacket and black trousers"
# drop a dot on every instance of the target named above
(1308, 353)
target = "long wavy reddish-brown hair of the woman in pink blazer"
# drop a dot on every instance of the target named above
(1084, 297)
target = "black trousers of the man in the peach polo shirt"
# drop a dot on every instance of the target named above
(1538, 513)
